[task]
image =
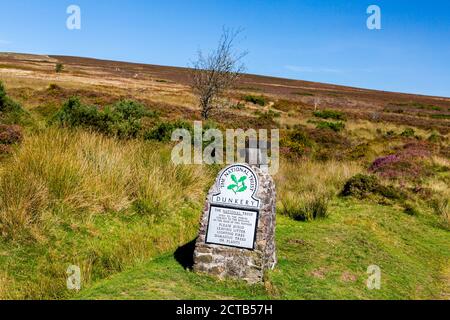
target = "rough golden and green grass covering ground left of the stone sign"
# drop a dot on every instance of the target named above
(92, 201)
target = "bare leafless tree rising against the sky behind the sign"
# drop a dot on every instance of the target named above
(217, 72)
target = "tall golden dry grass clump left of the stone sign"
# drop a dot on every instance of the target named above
(89, 174)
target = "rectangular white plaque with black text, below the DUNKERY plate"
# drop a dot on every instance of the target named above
(232, 227)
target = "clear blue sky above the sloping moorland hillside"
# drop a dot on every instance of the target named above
(324, 41)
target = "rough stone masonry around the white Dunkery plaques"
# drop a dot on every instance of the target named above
(230, 262)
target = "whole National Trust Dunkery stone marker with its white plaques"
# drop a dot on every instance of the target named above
(237, 230)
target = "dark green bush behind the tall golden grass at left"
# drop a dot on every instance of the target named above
(122, 119)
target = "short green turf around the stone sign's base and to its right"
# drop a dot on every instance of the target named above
(324, 259)
